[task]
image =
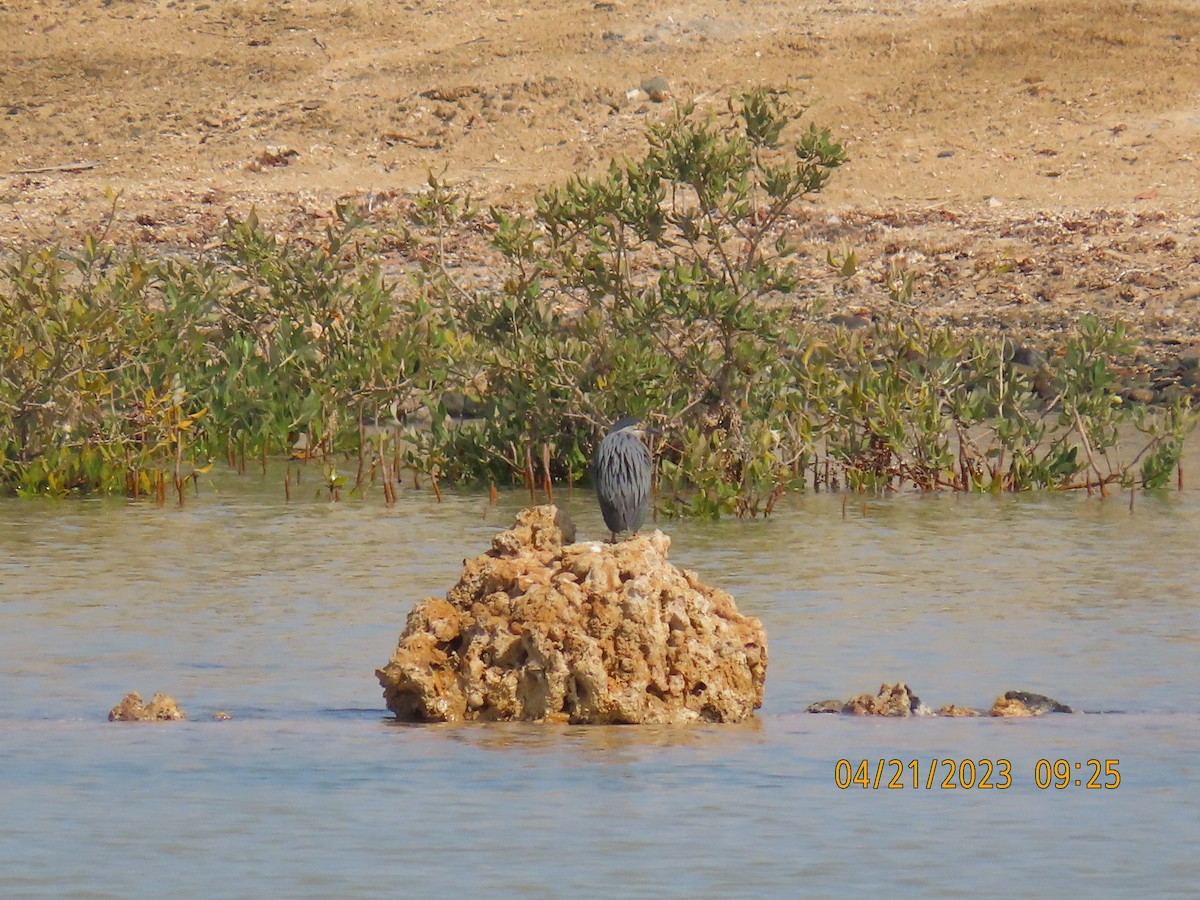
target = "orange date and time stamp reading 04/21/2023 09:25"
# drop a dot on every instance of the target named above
(973, 775)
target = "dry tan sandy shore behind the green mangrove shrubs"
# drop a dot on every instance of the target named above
(1029, 161)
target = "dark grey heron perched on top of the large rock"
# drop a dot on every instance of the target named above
(621, 472)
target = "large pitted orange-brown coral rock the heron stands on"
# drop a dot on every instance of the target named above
(541, 629)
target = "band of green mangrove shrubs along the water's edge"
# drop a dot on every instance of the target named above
(664, 287)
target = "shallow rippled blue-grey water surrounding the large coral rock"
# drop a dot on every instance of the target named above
(279, 614)
